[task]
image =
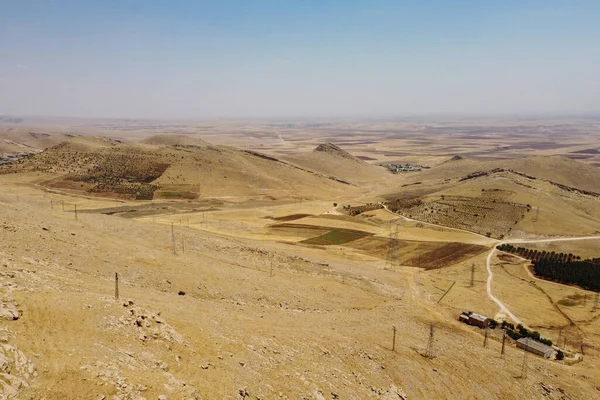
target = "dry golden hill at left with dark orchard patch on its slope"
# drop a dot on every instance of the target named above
(112, 168)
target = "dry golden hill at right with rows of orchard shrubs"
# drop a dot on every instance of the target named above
(499, 200)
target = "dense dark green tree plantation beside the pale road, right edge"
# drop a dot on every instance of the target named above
(561, 267)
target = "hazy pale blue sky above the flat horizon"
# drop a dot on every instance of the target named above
(254, 58)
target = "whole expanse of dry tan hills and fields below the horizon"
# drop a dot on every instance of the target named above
(244, 273)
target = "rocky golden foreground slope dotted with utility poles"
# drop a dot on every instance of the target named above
(224, 317)
